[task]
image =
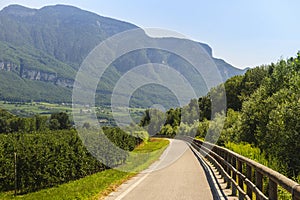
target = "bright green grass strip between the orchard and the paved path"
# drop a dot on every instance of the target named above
(100, 184)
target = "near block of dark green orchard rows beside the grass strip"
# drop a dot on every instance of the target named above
(44, 159)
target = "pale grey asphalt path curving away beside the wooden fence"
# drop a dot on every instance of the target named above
(177, 175)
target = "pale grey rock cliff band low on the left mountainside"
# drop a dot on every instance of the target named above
(36, 75)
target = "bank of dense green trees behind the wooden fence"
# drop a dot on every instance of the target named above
(263, 109)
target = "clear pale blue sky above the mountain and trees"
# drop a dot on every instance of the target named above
(244, 33)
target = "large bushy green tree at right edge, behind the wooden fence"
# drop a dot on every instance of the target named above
(282, 136)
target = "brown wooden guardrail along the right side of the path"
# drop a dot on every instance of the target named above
(244, 176)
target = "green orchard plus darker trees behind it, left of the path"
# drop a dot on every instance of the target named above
(46, 157)
